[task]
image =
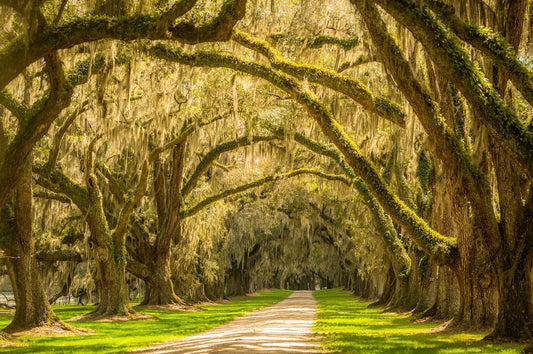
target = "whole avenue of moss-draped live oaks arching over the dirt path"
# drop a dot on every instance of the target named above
(195, 150)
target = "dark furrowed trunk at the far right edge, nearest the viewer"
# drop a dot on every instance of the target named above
(513, 264)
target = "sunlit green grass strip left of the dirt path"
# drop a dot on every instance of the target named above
(119, 337)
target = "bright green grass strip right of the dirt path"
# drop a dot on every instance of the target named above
(346, 324)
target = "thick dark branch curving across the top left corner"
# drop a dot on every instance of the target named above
(17, 55)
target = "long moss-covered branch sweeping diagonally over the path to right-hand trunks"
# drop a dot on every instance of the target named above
(426, 238)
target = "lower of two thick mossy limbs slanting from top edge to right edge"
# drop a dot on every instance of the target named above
(446, 52)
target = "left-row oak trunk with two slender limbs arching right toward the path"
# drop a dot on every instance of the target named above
(151, 259)
